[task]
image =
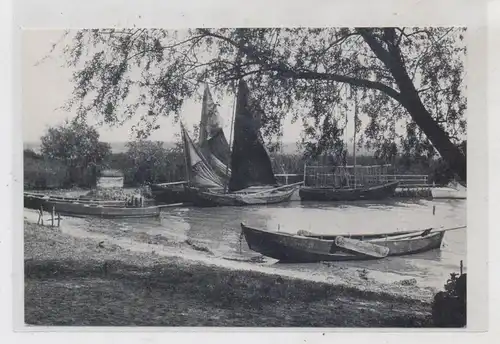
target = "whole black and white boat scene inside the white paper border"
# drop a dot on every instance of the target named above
(245, 177)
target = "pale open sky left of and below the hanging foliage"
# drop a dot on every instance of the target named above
(47, 86)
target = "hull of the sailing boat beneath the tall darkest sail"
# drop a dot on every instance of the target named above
(208, 198)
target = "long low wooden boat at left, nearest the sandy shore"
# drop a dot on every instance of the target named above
(81, 209)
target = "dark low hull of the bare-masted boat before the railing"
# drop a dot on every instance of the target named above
(375, 192)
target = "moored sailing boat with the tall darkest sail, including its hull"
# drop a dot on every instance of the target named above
(252, 180)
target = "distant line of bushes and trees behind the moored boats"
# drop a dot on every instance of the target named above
(72, 155)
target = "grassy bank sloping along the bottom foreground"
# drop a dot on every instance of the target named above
(70, 281)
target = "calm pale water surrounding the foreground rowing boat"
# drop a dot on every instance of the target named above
(219, 230)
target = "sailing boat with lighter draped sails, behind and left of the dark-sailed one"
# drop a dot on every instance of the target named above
(213, 150)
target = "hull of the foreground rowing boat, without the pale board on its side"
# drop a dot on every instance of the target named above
(306, 249)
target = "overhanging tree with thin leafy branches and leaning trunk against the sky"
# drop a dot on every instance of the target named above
(407, 82)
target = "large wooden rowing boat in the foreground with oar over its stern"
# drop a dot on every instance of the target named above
(306, 247)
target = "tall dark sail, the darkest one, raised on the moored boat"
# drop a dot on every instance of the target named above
(250, 163)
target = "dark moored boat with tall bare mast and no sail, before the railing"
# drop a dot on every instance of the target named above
(356, 192)
